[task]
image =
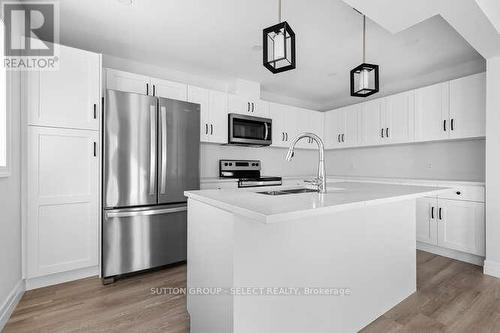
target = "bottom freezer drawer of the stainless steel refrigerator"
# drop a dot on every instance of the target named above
(141, 238)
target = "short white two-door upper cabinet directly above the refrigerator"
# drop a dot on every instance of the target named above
(140, 84)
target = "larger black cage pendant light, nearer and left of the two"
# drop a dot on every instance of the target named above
(279, 46)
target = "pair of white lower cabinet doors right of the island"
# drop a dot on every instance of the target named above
(452, 224)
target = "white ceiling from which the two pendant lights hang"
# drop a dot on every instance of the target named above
(220, 38)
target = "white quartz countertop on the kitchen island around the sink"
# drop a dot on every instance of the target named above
(340, 196)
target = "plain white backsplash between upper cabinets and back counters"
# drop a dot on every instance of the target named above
(453, 160)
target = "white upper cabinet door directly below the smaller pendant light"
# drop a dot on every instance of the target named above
(373, 132)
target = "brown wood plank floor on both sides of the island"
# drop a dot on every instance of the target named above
(452, 297)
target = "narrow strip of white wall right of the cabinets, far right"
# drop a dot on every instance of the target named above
(492, 264)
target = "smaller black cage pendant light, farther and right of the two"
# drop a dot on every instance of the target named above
(364, 78)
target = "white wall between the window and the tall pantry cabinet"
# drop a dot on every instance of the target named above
(10, 205)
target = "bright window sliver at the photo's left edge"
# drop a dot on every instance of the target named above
(4, 112)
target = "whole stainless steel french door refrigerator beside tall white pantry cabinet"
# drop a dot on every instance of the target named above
(150, 157)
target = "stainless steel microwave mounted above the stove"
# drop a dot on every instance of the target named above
(249, 130)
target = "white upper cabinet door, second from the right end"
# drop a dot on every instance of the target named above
(432, 112)
